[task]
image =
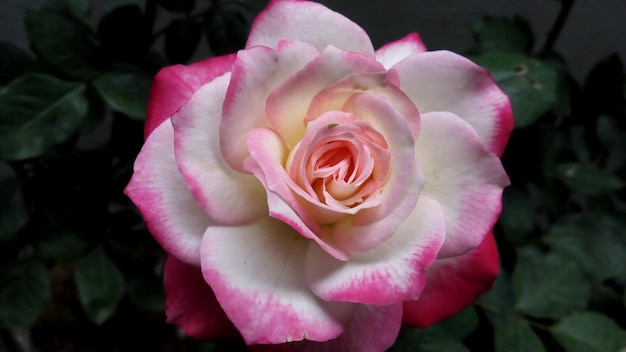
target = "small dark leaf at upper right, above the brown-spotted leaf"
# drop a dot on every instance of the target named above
(503, 35)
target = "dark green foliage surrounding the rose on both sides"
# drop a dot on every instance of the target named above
(80, 272)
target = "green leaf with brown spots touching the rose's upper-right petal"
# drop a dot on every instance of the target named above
(530, 84)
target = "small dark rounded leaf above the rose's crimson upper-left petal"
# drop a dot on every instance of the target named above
(181, 39)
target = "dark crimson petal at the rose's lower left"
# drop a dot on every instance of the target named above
(191, 303)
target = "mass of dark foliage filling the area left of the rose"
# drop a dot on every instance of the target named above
(78, 269)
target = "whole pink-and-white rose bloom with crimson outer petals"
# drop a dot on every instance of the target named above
(310, 189)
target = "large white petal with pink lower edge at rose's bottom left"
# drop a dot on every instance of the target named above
(257, 274)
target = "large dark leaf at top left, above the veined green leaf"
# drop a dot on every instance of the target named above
(62, 43)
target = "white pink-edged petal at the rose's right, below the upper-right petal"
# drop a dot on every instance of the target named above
(463, 176)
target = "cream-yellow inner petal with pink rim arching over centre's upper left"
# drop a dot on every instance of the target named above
(288, 103)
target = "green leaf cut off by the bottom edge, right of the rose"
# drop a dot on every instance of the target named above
(512, 334)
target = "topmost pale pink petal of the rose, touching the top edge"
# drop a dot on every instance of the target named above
(307, 22)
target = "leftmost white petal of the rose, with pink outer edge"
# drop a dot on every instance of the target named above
(168, 208)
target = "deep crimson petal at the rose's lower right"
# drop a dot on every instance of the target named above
(453, 284)
